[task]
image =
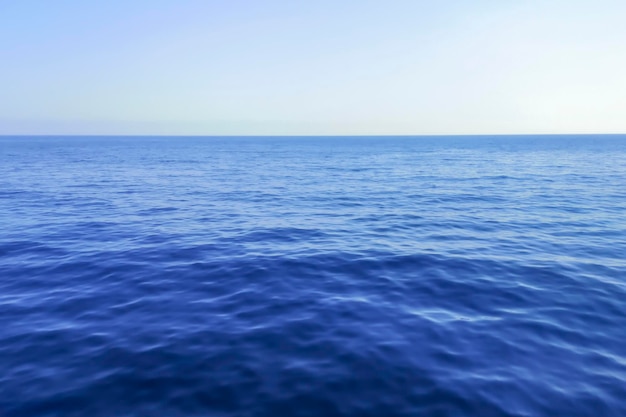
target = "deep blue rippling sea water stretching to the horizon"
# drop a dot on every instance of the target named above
(313, 276)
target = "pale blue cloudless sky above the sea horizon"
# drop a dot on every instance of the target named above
(302, 67)
